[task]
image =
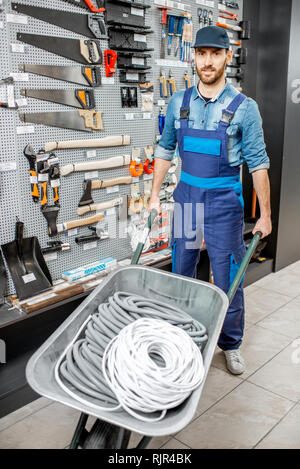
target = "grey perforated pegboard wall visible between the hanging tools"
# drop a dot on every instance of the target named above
(15, 197)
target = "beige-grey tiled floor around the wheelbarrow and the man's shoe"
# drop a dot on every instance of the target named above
(259, 409)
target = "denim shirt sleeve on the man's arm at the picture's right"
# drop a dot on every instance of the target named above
(253, 143)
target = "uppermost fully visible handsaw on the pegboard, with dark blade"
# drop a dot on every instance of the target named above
(91, 25)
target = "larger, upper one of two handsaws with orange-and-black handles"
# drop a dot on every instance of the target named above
(81, 75)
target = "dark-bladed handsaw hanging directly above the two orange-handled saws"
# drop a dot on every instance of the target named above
(82, 51)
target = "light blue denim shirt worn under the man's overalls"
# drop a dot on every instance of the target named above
(246, 138)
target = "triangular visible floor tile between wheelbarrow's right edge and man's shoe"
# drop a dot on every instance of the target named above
(218, 384)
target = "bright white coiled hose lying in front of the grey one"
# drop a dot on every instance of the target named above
(140, 383)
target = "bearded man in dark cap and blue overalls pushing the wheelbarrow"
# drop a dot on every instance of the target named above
(217, 129)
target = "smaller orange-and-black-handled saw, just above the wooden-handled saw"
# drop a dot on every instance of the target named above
(83, 99)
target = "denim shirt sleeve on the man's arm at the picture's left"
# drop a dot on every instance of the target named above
(167, 144)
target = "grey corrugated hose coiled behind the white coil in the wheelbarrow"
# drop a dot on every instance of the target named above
(82, 367)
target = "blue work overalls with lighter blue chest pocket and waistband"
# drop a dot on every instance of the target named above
(208, 181)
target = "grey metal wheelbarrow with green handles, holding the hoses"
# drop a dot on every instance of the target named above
(203, 301)
